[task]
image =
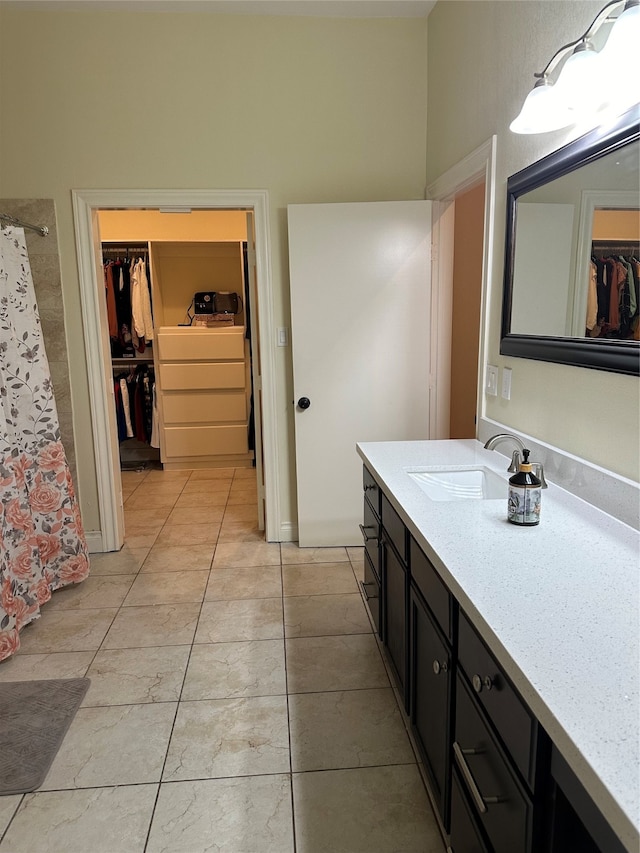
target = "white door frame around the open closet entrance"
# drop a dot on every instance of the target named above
(86, 203)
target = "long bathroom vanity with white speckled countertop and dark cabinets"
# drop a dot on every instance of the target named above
(515, 650)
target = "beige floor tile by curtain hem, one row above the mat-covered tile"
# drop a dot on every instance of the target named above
(67, 631)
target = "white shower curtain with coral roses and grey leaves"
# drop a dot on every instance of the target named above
(42, 544)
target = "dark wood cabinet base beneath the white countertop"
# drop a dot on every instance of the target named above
(498, 783)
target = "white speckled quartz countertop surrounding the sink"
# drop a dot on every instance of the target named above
(558, 603)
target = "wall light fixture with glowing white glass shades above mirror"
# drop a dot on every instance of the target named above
(580, 81)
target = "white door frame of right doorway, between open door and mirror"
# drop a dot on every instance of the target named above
(478, 166)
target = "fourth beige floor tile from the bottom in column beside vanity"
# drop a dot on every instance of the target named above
(322, 615)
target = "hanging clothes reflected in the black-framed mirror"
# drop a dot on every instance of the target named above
(613, 303)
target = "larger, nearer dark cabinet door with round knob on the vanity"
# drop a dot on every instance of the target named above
(431, 685)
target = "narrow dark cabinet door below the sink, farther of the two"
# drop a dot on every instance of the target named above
(395, 613)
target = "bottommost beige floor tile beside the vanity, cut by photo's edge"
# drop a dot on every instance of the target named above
(374, 809)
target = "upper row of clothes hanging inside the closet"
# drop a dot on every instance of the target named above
(127, 288)
